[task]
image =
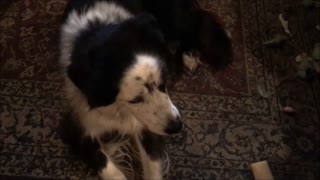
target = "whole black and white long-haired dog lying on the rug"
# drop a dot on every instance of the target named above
(116, 60)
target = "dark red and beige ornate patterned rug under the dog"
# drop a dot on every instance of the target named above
(228, 123)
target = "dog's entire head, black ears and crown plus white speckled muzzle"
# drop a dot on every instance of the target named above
(124, 66)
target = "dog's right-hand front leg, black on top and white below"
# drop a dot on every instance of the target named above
(152, 150)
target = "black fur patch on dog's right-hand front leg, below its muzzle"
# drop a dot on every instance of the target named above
(153, 145)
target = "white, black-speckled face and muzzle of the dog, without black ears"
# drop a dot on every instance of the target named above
(143, 93)
